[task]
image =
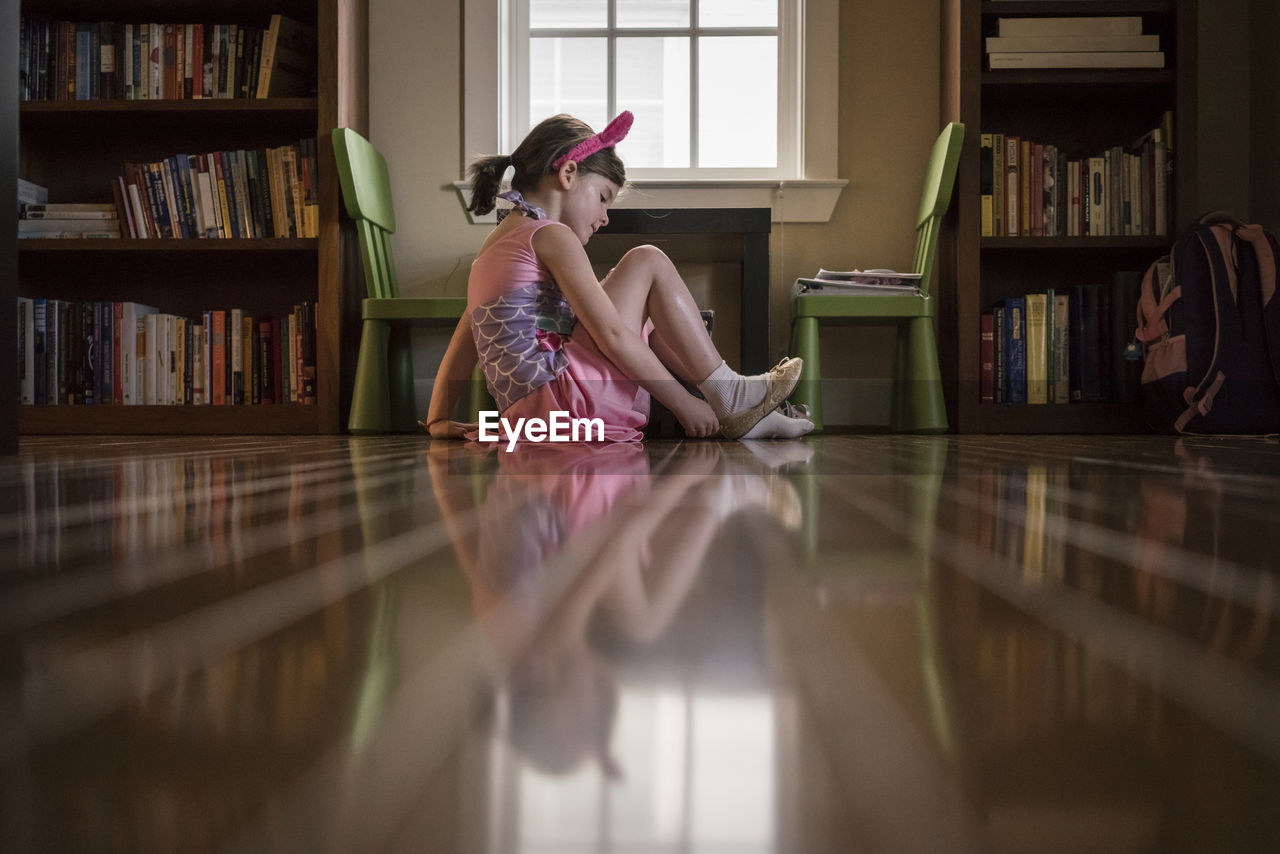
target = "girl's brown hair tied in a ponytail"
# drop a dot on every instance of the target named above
(533, 159)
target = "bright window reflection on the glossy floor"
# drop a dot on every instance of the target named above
(700, 770)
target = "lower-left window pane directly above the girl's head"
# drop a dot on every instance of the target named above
(568, 76)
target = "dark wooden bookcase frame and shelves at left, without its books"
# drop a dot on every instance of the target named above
(77, 149)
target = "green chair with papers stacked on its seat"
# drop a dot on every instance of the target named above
(918, 405)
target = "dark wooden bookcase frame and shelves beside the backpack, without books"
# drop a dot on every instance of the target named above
(1085, 111)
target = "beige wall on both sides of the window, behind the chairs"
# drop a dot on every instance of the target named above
(889, 118)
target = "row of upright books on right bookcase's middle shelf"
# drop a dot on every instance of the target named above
(1035, 190)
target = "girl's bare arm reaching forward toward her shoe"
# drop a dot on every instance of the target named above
(566, 259)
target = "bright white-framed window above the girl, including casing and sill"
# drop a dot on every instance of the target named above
(767, 139)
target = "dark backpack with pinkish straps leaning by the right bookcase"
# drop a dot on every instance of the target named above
(1209, 325)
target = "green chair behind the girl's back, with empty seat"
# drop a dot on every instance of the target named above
(383, 398)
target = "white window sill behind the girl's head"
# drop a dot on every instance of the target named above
(790, 202)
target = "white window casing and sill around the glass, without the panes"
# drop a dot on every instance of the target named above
(804, 188)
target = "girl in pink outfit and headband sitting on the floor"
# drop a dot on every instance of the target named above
(554, 339)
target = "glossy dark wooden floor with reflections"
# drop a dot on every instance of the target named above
(840, 645)
